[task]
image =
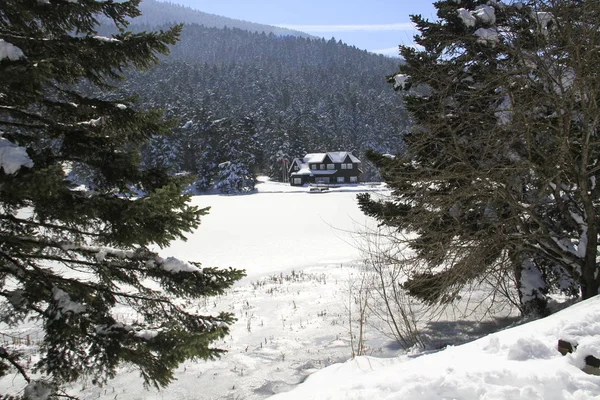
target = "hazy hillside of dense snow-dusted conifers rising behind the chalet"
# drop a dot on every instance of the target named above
(248, 100)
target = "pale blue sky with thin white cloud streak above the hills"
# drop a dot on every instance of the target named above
(374, 25)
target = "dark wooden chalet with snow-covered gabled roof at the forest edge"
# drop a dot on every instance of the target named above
(334, 167)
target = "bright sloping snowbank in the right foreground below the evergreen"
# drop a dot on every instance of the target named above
(518, 363)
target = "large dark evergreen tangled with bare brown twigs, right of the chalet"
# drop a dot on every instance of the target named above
(500, 169)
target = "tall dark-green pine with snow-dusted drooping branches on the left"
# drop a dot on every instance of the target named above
(78, 258)
